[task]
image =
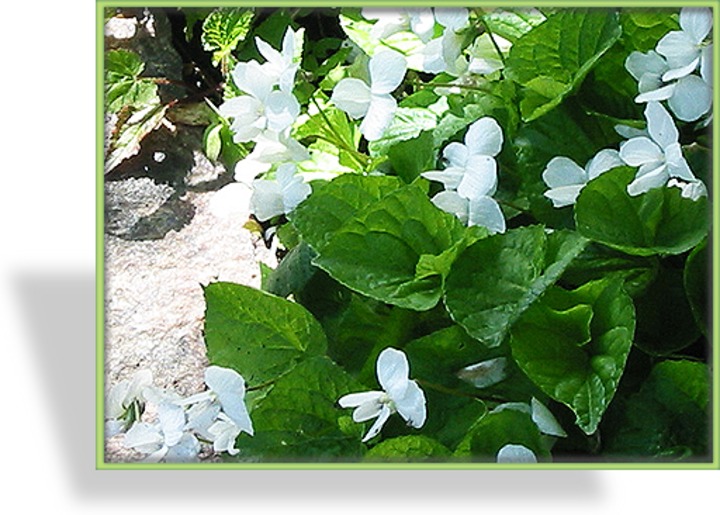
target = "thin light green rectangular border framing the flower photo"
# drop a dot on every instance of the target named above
(100, 244)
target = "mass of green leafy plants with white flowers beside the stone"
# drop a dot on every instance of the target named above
(493, 226)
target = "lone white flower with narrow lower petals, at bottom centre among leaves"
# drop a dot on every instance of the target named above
(400, 395)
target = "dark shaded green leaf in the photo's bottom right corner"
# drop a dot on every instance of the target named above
(668, 418)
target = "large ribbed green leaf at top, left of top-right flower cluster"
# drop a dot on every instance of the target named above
(551, 60)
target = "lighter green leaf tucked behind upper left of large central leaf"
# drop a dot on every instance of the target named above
(327, 209)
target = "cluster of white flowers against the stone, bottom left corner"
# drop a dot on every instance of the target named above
(216, 416)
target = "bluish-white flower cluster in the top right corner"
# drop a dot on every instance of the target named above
(667, 73)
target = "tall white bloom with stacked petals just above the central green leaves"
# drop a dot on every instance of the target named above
(471, 177)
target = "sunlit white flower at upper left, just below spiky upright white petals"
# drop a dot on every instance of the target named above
(262, 108)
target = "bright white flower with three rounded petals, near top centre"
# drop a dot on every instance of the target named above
(373, 103)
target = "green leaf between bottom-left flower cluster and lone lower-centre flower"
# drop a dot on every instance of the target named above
(300, 420)
